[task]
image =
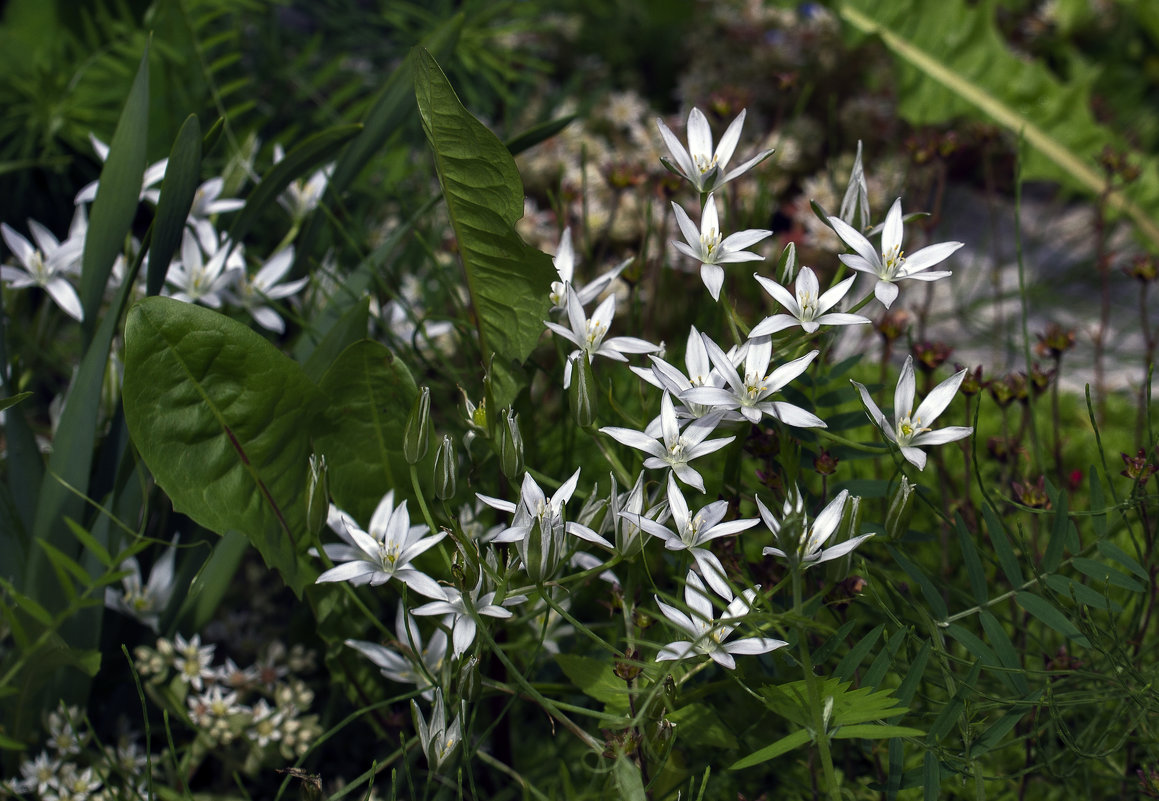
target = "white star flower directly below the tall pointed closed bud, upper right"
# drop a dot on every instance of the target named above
(892, 265)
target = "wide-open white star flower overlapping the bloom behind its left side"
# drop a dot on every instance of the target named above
(750, 396)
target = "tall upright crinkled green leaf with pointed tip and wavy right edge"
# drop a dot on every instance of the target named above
(507, 279)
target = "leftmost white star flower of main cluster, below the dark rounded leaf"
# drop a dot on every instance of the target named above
(384, 552)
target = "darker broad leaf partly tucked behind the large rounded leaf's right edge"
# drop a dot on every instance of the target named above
(370, 396)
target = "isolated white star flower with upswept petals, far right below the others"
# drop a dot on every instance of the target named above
(912, 429)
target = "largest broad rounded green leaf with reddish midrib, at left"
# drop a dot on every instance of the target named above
(223, 421)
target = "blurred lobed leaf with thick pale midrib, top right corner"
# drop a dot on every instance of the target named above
(953, 62)
